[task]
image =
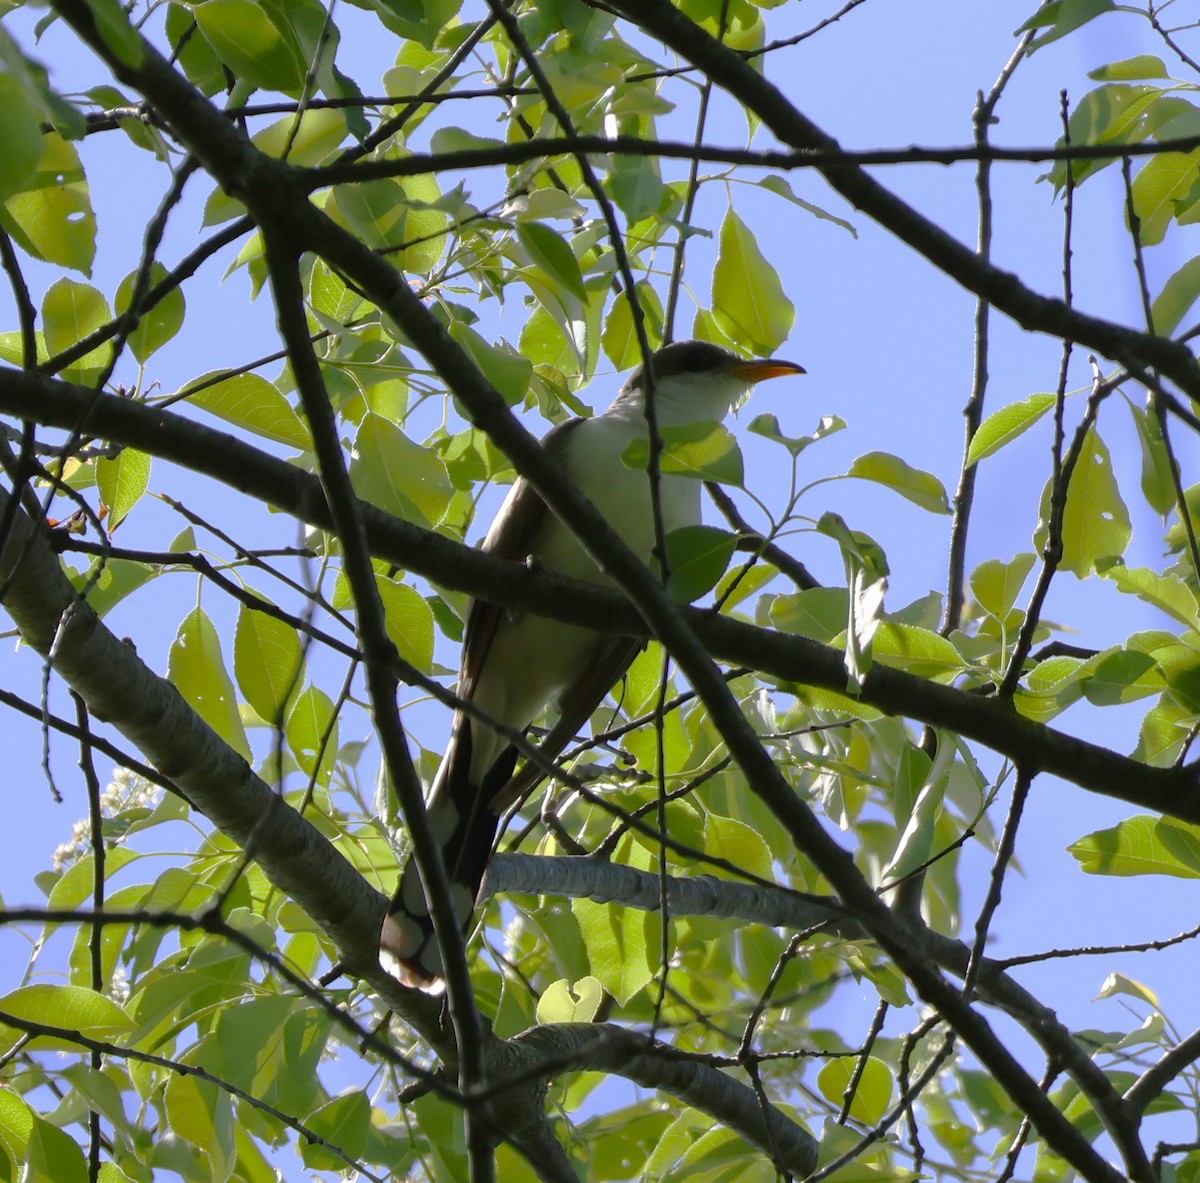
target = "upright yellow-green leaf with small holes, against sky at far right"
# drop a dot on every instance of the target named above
(1096, 523)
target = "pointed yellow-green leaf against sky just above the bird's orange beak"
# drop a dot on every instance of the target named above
(749, 302)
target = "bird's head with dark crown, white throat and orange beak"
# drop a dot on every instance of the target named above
(700, 381)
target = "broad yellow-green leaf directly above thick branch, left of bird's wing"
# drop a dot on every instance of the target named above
(400, 477)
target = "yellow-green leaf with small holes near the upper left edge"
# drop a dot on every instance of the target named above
(52, 217)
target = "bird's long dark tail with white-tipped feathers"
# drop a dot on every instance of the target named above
(464, 822)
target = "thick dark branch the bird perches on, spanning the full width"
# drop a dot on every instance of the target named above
(1171, 791)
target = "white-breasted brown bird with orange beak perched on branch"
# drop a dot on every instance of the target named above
(514, 664)
